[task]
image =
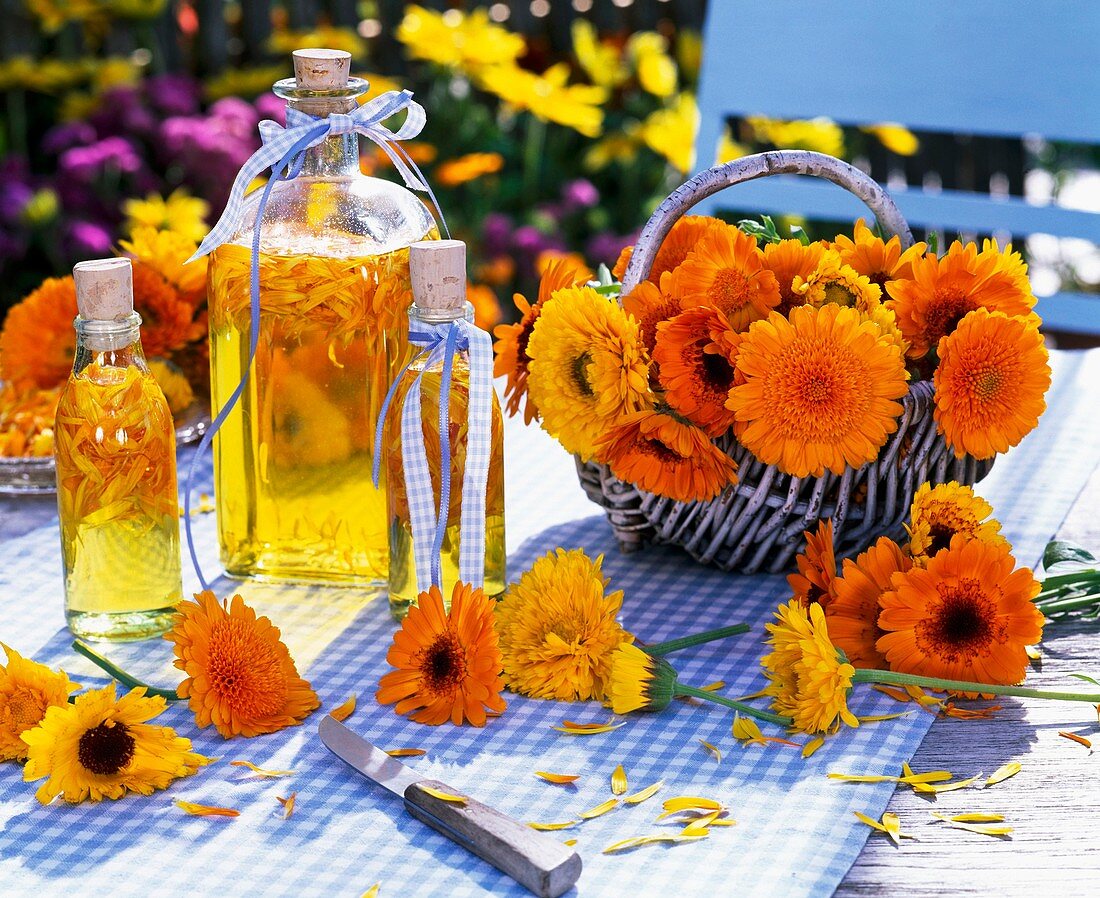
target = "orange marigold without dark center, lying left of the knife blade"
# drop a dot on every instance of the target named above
(240, 675)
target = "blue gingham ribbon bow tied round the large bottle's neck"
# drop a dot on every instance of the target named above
(283, 154)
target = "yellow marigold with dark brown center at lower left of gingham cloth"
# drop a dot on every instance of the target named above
(104, 748)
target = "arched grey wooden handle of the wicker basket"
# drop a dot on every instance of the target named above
(775, 162)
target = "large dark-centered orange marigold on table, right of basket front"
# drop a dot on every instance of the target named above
(969, 616)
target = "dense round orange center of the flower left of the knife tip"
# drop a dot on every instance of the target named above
(245, 671)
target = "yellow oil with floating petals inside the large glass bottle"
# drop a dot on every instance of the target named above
(293, 463)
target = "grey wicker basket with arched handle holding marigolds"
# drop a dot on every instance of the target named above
(757, 524)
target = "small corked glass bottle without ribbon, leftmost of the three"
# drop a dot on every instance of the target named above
(116, 453)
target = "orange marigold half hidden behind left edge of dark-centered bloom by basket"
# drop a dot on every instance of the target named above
(853, 614)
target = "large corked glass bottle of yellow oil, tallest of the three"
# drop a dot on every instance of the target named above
(293, 463)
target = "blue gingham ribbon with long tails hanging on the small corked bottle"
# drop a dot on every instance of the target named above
(439, 344)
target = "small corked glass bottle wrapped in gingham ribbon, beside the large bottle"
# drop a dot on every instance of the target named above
(439, 295)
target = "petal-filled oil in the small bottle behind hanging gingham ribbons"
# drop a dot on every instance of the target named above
(403, 583)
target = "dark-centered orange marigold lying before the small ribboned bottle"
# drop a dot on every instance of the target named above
(448, 664)
